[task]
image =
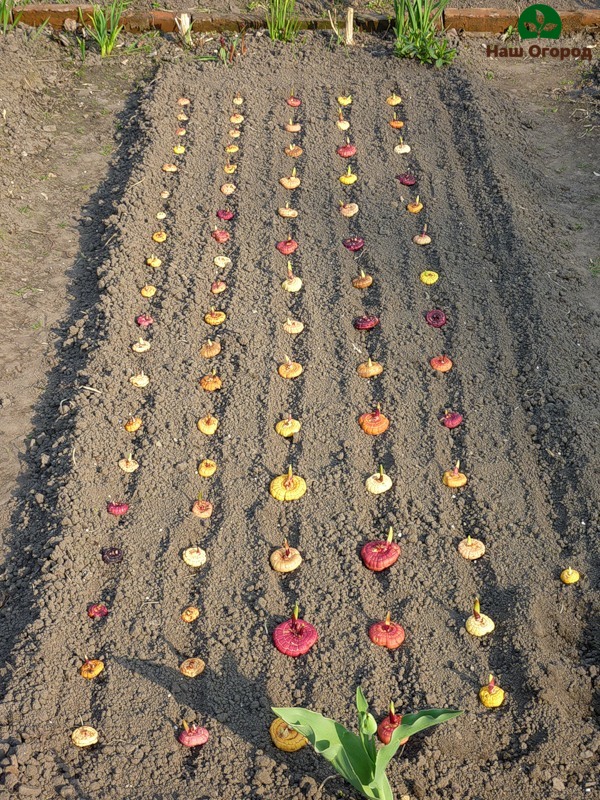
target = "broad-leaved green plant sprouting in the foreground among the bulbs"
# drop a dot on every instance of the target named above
(357, 758)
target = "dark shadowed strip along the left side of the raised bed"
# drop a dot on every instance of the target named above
(36, 528)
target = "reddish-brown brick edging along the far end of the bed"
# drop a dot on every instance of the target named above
(471, 20)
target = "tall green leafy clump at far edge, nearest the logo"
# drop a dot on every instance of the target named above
(416, 34)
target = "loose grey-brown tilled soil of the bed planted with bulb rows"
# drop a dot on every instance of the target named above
(524, 376)
